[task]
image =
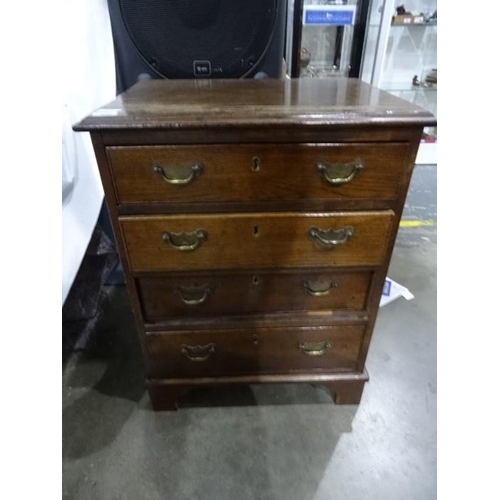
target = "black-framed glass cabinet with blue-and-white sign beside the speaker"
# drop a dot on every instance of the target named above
(326, 37)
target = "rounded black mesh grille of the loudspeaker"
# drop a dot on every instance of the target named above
(200, 38)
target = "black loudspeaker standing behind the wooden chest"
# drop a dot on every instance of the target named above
(197, 39)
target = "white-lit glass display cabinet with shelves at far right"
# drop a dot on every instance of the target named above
(400, 56)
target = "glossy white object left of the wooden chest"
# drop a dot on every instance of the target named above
(89, 82)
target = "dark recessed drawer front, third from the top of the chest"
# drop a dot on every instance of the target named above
(206, 294)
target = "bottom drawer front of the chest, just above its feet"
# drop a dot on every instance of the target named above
(247, 351)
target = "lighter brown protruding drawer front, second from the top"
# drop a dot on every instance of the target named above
(160, 243)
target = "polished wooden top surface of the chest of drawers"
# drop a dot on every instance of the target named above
(188, 104)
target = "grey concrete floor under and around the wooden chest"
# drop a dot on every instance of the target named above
(267, 442)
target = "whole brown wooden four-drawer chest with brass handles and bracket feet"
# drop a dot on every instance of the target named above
(255, 222)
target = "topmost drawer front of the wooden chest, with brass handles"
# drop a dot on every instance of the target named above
(256, 172)
